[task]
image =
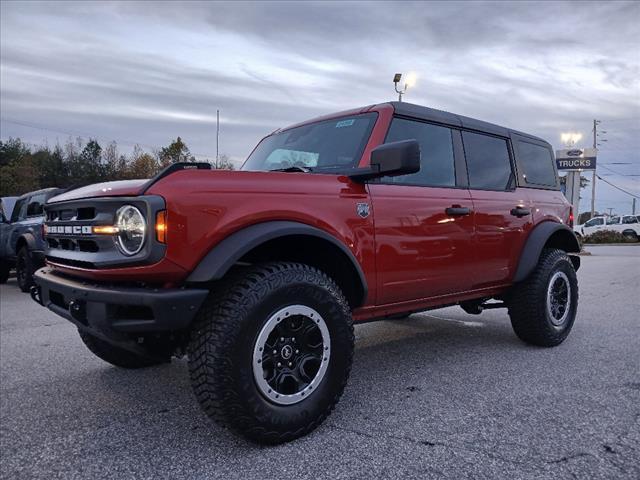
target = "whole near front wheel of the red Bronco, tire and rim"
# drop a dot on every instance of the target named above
(271, 351)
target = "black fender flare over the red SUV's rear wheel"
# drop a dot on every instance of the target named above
(536, 241)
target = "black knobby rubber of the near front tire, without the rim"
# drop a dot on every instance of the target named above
(225, 334)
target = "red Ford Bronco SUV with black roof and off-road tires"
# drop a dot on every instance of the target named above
(258, 275)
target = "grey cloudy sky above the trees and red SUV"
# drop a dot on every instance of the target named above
(147, 72)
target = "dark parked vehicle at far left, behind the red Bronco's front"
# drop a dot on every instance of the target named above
(23, 242)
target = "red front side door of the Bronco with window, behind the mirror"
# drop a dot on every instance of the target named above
(423, 221)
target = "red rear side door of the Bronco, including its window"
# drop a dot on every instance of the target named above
(503, 214)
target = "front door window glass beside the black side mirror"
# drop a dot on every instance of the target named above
(437, 167)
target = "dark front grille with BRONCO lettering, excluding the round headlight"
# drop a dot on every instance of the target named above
(71, 241)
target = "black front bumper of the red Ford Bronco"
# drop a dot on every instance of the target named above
(115, 312)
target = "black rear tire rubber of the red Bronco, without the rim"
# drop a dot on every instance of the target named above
(528, 301)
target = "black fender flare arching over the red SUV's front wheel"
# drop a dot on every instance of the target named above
(225, 254)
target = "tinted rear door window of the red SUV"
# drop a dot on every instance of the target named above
(488, 161)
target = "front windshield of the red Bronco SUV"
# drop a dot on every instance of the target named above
(326, 146)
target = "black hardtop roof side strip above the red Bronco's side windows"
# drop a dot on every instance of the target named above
(440, 116)
